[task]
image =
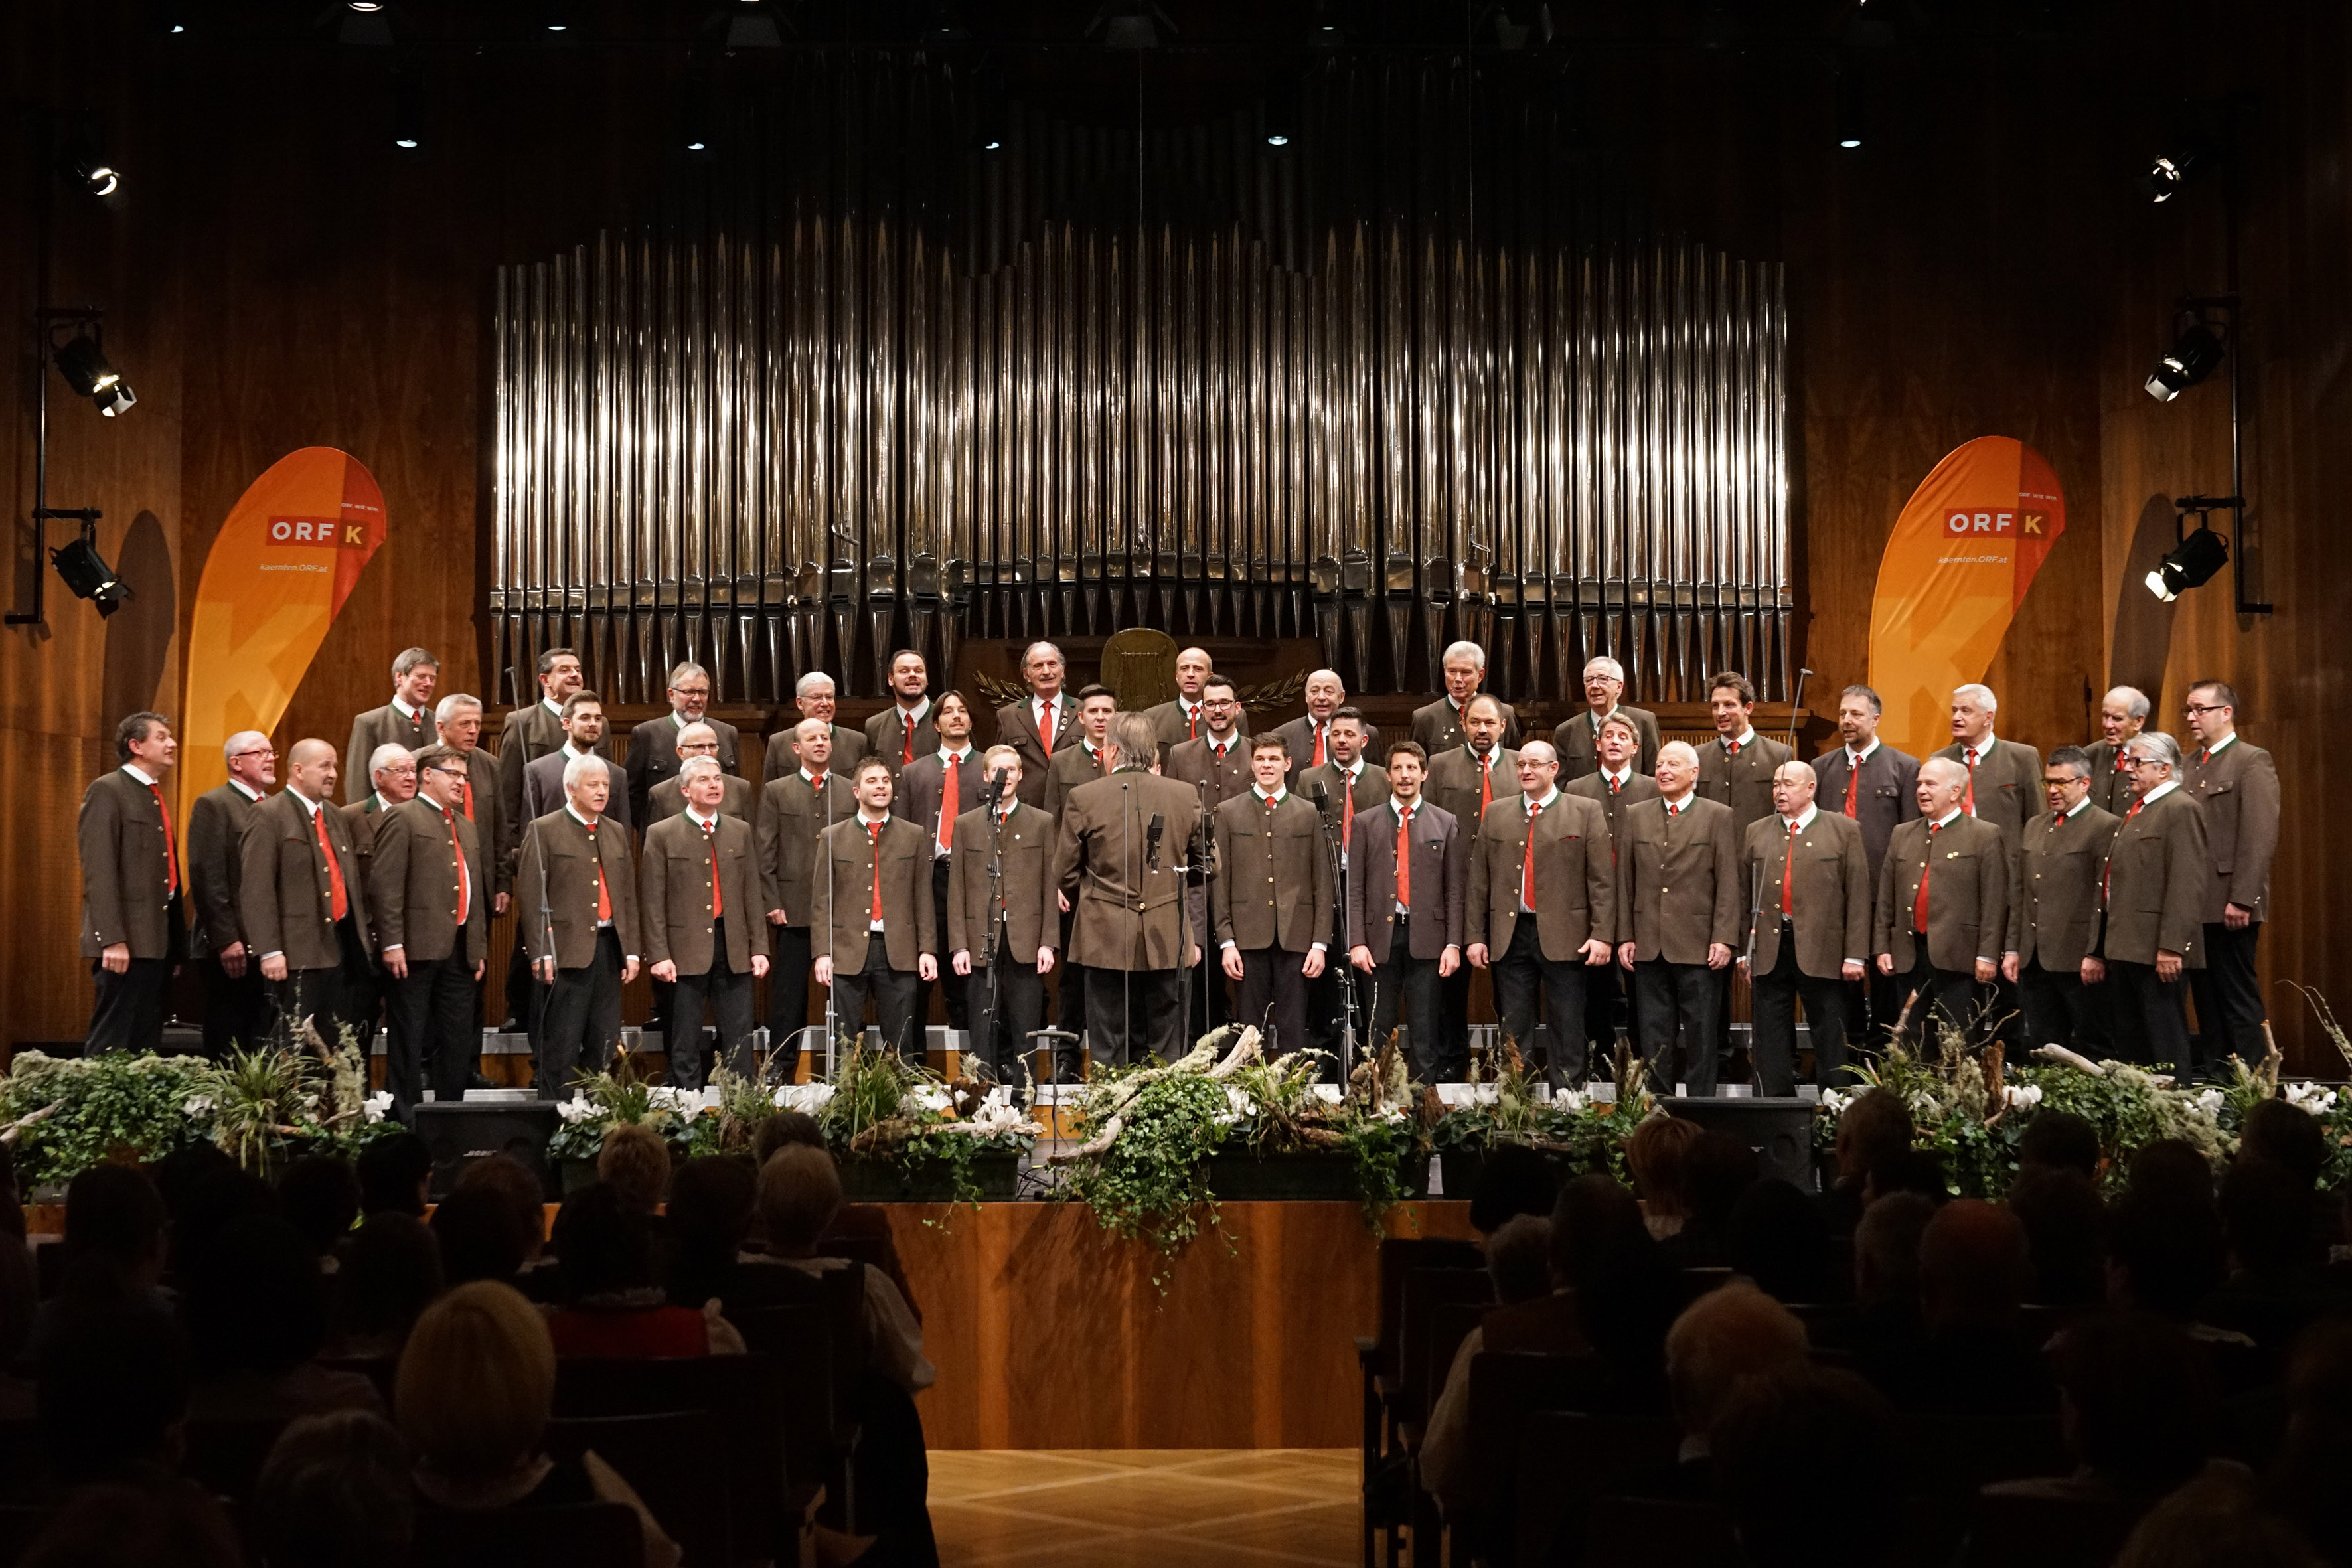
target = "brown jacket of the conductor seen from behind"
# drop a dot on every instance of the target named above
(1125, 913)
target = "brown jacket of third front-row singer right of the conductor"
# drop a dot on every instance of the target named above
(1575, 878)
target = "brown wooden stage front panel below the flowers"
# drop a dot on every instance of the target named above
(1050, 1334)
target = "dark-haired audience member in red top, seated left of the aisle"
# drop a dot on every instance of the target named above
(615, 1301)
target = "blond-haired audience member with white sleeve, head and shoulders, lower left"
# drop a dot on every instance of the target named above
(474, 1398)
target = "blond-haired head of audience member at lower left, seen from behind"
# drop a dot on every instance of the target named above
(476, 1383)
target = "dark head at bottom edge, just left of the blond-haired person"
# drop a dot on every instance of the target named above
(335, 1494)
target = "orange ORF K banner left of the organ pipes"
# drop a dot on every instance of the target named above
(274, 582)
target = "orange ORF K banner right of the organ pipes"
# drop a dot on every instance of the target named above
(1956, 570)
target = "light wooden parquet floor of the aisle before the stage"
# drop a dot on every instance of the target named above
(1147, 1508)
